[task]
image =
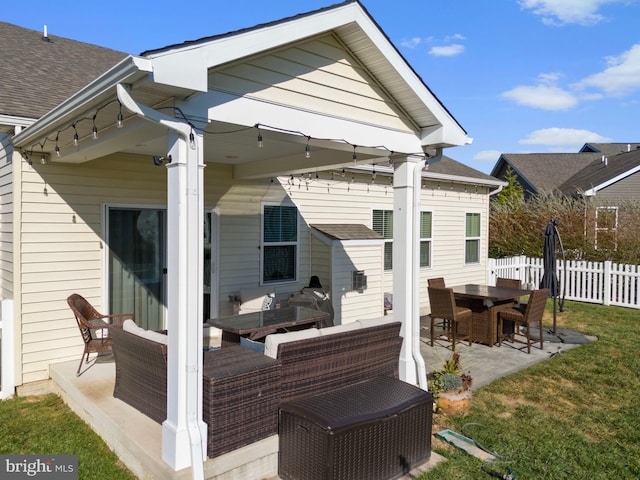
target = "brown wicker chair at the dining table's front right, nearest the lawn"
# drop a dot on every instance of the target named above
(524, 315)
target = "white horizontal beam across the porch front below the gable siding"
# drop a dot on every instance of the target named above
(249, 112)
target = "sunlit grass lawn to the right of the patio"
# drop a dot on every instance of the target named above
(574, 416)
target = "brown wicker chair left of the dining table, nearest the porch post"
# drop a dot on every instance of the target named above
(443, 306)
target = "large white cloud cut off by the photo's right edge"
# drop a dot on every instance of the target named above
(622, 76)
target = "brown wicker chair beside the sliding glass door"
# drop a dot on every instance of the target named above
(94, 326)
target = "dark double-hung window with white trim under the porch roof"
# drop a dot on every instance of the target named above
(279, 243)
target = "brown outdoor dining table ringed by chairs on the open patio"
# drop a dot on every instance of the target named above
(485, 302)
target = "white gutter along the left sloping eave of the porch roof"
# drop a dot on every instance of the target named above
(120, 73)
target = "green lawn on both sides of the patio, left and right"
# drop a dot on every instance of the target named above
(575, 416)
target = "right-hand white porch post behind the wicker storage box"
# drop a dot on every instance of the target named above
(405, 305)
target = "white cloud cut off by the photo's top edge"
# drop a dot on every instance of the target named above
(560, 12)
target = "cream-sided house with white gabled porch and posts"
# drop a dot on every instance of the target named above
(258, 157)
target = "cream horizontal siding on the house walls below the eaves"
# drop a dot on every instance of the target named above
(62, 246)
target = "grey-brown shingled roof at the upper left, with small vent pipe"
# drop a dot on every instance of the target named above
(41, 72)
